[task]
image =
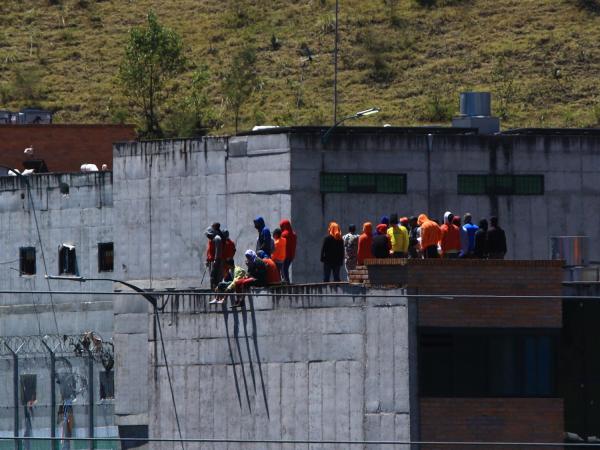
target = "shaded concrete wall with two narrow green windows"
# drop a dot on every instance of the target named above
(569, 164)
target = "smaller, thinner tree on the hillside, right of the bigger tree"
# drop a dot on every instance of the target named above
(240, 81)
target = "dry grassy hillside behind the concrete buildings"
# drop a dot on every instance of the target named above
(540, 58)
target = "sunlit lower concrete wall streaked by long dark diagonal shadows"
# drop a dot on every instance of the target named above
(313, 367)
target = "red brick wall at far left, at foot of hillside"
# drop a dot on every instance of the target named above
(64, 147)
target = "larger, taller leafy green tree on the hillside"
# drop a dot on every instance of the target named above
(153, 56)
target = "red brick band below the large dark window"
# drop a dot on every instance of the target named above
(491, 419)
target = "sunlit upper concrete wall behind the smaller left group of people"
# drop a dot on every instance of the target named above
(168, 192)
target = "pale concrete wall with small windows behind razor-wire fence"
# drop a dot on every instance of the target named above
(84, 219)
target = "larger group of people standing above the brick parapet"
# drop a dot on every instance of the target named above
(414, 237)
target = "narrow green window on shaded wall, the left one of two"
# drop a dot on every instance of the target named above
(370, 183)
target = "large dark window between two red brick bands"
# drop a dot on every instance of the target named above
(487, 363)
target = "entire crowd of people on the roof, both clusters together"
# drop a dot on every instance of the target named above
(394, 237)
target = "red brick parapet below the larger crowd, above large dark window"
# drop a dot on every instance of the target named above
(470, 276)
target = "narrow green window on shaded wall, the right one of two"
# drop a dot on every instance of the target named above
(501, 184)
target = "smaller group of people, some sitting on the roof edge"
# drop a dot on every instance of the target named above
(268, 264)
